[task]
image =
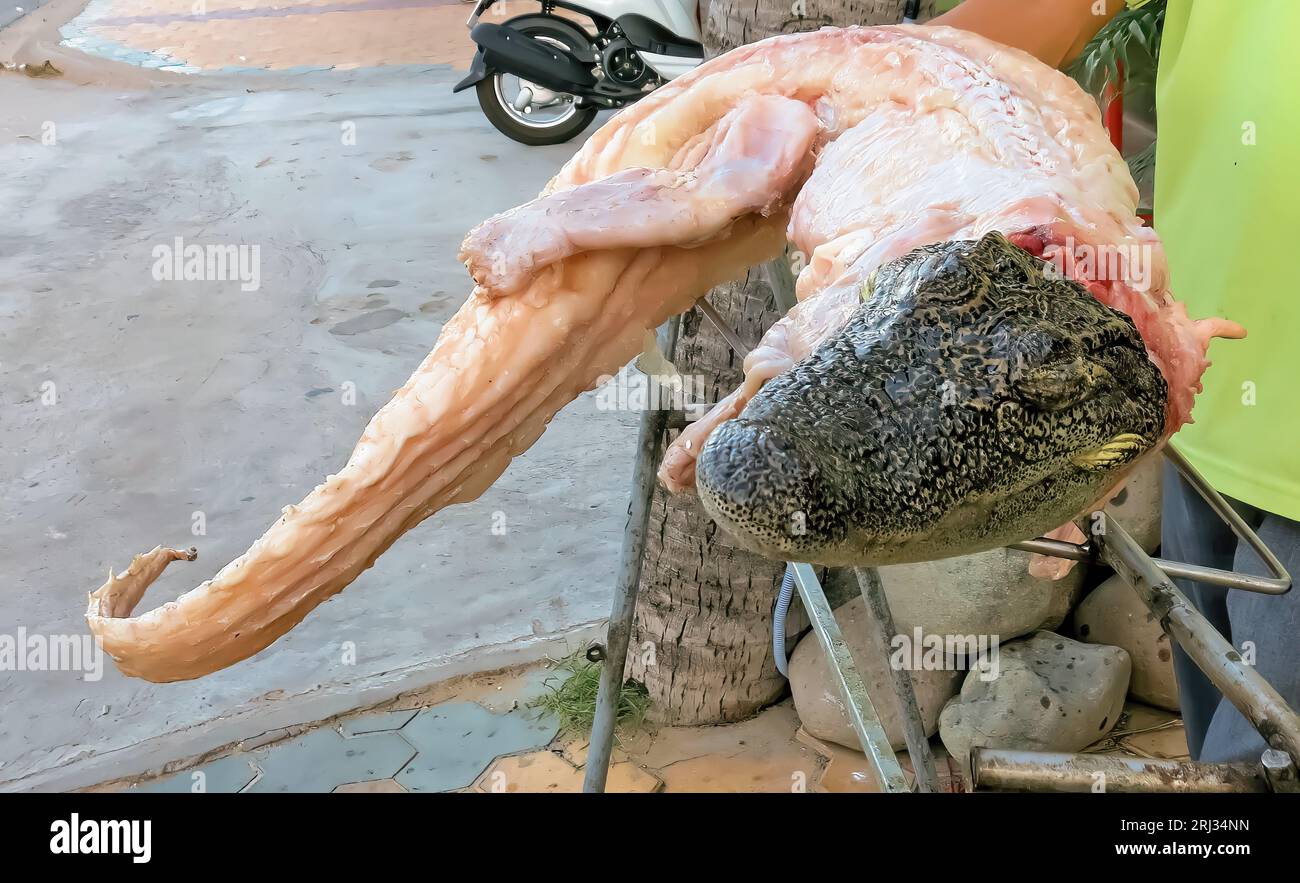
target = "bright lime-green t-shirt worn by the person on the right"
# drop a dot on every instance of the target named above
(1228, 209)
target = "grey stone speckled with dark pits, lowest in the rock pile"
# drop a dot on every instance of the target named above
(1050, 695)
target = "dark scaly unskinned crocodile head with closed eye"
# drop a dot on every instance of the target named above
(970, 402)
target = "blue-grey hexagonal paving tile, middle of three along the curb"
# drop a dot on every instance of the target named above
(322, 760)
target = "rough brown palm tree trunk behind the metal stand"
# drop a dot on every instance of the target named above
(701, 640)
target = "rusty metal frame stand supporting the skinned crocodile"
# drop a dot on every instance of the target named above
(1111, 544)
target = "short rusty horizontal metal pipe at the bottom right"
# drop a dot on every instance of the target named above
(1009, 771)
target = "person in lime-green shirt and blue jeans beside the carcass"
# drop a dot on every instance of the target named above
(1227, 207)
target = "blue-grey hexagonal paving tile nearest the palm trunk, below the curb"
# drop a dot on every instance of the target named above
(458, 741)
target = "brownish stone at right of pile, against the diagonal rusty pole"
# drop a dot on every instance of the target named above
(1113, 614)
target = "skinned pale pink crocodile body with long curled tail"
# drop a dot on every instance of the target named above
(950, 137)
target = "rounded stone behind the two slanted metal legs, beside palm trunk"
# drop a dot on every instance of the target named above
(818, 702)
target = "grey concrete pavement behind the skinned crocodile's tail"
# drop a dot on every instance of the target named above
(137, 410)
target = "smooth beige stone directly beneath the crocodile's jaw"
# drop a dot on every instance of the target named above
(989, 594)
